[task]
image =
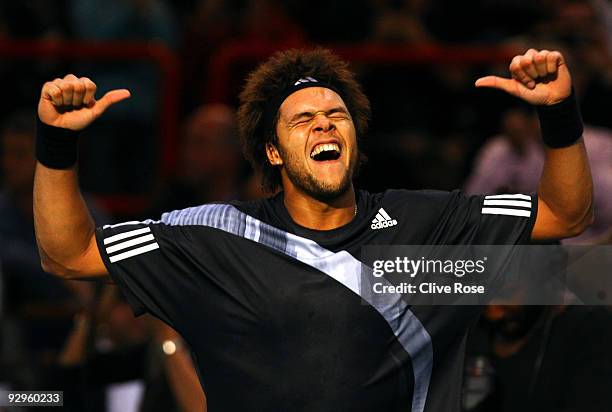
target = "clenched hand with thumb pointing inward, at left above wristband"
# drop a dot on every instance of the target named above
(70, 102)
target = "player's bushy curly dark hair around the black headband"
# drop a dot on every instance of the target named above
(270, 79)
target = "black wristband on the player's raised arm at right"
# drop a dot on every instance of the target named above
(561, 123)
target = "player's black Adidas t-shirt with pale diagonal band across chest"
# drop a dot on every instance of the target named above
(273, 313)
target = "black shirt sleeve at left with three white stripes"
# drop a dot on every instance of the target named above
(147, 260)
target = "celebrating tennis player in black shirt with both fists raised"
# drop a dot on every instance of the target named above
(267, 293)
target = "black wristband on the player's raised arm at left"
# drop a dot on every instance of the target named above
(56, 148)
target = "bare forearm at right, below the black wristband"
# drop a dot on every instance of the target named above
(566, 187)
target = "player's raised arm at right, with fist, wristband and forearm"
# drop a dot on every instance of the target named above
(565, 191)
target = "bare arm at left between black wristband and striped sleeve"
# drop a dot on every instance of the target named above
(64, 227)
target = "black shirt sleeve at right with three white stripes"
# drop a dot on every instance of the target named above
(505, 219)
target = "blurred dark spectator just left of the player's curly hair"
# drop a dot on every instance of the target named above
(209, 162)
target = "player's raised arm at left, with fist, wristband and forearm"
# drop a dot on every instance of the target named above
(64, 227)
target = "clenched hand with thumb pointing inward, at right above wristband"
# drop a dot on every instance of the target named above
(538, 77)
